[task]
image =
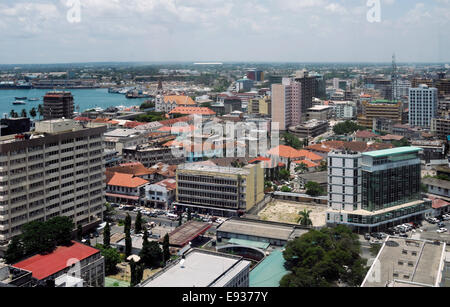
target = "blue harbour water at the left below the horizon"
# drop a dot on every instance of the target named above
(85, 99)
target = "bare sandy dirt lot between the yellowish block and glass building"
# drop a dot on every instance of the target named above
(287, 212)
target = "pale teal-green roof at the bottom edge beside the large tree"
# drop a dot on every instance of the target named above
(270, 271)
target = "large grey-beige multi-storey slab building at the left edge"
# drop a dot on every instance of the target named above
(58, 170)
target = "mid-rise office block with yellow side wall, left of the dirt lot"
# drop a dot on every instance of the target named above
(223, 191)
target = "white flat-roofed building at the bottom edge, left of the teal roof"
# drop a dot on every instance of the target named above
(201, 268)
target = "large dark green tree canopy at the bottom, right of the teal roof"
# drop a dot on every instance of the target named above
(324, 258)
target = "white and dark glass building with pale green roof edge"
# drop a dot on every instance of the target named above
(376, 189)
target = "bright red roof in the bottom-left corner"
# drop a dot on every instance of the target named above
(43, 266)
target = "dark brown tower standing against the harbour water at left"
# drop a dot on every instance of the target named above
(58, 105)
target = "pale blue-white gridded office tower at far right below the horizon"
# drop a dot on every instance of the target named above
(423, 106)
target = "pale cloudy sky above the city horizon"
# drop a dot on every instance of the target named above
(55, 31)
